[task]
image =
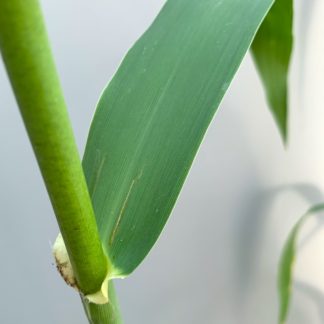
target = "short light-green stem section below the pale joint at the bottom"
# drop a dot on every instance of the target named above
(104, 314)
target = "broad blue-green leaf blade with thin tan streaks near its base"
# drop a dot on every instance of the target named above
(152, 117)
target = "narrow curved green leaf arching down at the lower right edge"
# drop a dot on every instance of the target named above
(286, 264)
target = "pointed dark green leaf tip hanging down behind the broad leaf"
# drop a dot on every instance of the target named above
(272, 49)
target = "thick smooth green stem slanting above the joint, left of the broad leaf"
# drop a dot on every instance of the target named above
(28, 59)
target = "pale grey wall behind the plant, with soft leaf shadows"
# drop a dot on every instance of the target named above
(216, 260)
